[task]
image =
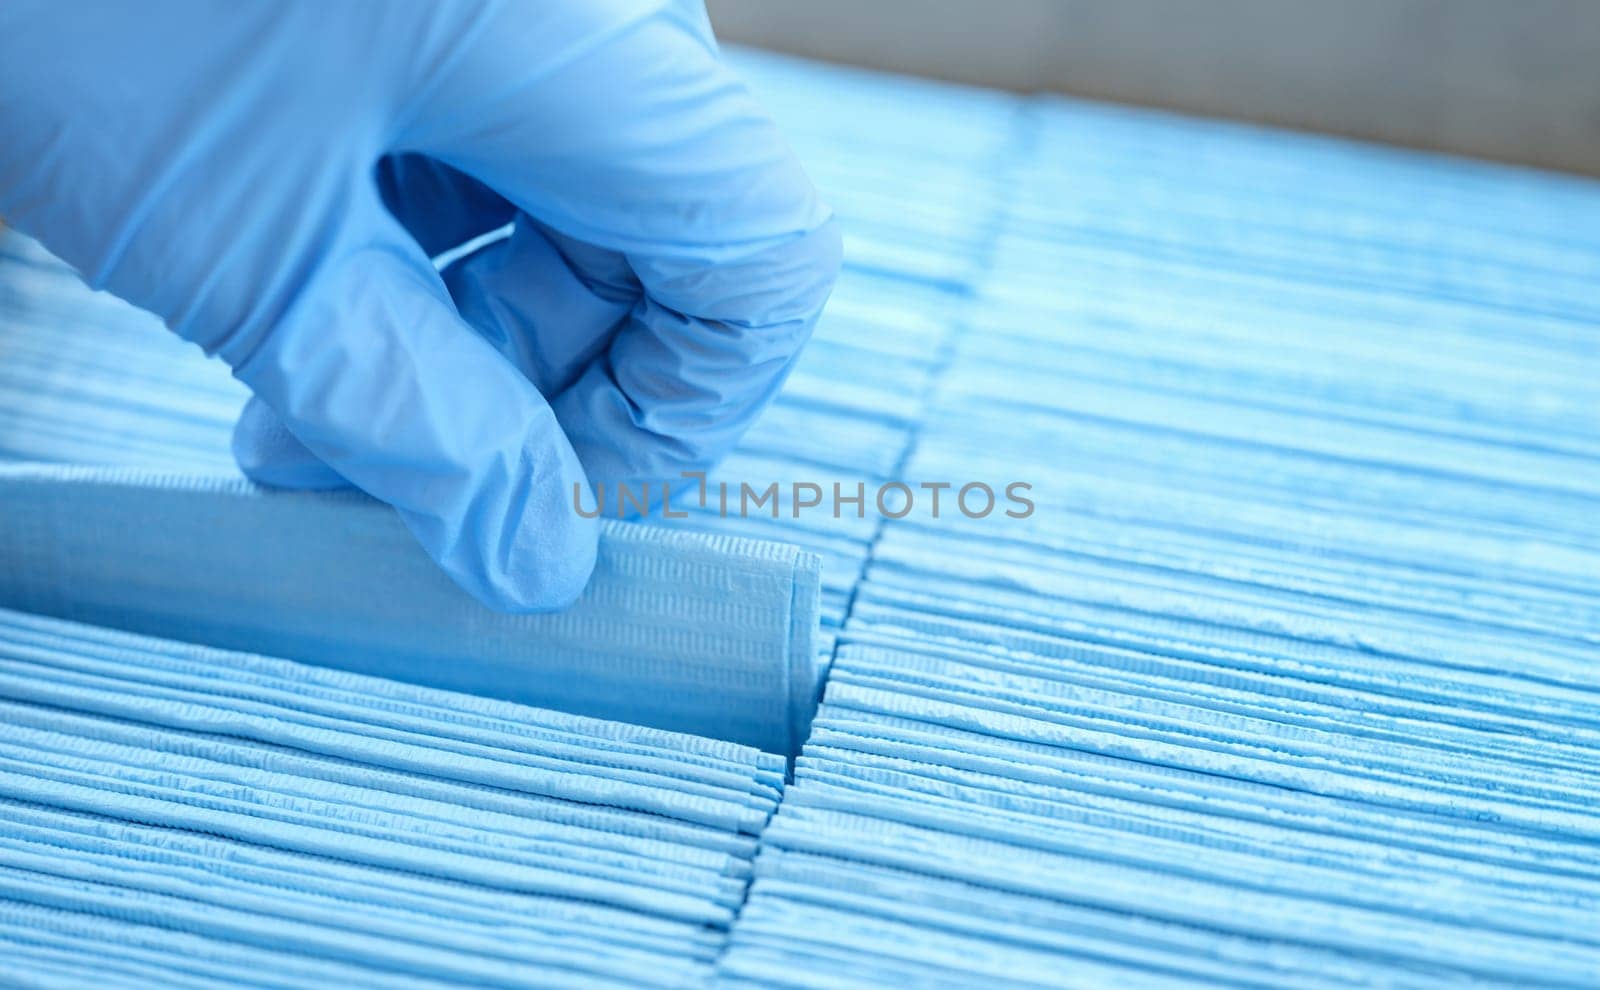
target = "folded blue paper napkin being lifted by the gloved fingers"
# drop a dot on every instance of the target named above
(679, 631)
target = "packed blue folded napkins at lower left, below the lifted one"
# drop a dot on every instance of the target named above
(174, 815)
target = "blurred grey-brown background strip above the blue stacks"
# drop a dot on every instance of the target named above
(1518, 81)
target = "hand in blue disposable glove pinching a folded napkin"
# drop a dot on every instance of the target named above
(273, 180)
